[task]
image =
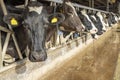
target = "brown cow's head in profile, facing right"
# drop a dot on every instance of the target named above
(72, 21)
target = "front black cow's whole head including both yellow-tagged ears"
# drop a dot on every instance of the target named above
(34, 21)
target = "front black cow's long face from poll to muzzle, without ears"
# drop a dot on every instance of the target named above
(36, 28)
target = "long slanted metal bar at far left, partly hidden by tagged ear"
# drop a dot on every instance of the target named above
(13, 36)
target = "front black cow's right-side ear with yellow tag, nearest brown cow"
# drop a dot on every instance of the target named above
(54, 19)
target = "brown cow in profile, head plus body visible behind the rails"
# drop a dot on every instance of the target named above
(71, 21)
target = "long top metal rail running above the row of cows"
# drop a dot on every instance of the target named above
(80, 6)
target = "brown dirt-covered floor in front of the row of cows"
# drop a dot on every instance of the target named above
(97, 62)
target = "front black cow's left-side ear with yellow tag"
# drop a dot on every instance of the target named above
(13, 19)
